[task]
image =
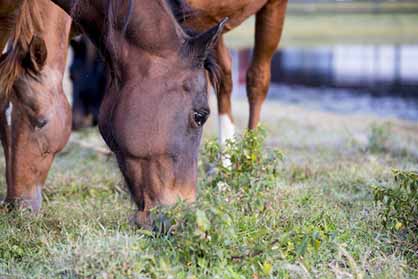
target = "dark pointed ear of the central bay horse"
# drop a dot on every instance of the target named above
(204, 42)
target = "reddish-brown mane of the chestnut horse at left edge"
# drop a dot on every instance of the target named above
(27, 23)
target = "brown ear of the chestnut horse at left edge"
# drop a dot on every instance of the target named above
(35, 58)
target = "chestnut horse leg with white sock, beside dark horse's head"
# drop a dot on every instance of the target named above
(226, 125)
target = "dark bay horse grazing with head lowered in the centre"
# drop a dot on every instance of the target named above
(156, 100)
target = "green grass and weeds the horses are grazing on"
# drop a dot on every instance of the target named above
(306, 213)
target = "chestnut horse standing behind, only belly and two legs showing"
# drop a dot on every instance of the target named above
(270, 14)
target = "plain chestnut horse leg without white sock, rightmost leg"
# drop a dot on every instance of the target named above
(269, 26)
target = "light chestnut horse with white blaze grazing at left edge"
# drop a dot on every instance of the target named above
(35, 118)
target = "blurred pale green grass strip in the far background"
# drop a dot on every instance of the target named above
(336, 28)
